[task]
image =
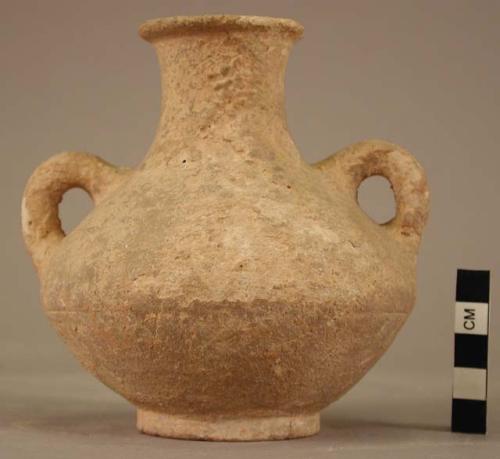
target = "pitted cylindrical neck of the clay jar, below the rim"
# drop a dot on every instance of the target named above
(221, 85)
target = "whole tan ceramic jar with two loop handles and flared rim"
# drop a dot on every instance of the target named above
(225, 287)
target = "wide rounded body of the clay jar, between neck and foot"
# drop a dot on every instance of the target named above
(242, 293)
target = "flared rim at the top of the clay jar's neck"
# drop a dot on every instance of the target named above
(158, 28)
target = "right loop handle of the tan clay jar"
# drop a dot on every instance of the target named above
(407, 178)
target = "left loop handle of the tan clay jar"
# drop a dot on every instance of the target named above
(44, 191)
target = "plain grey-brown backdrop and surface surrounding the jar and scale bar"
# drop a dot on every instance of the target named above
(424, 74)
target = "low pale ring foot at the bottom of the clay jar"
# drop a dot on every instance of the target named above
(227, 429)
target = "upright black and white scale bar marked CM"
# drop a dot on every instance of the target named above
(470, 373)
